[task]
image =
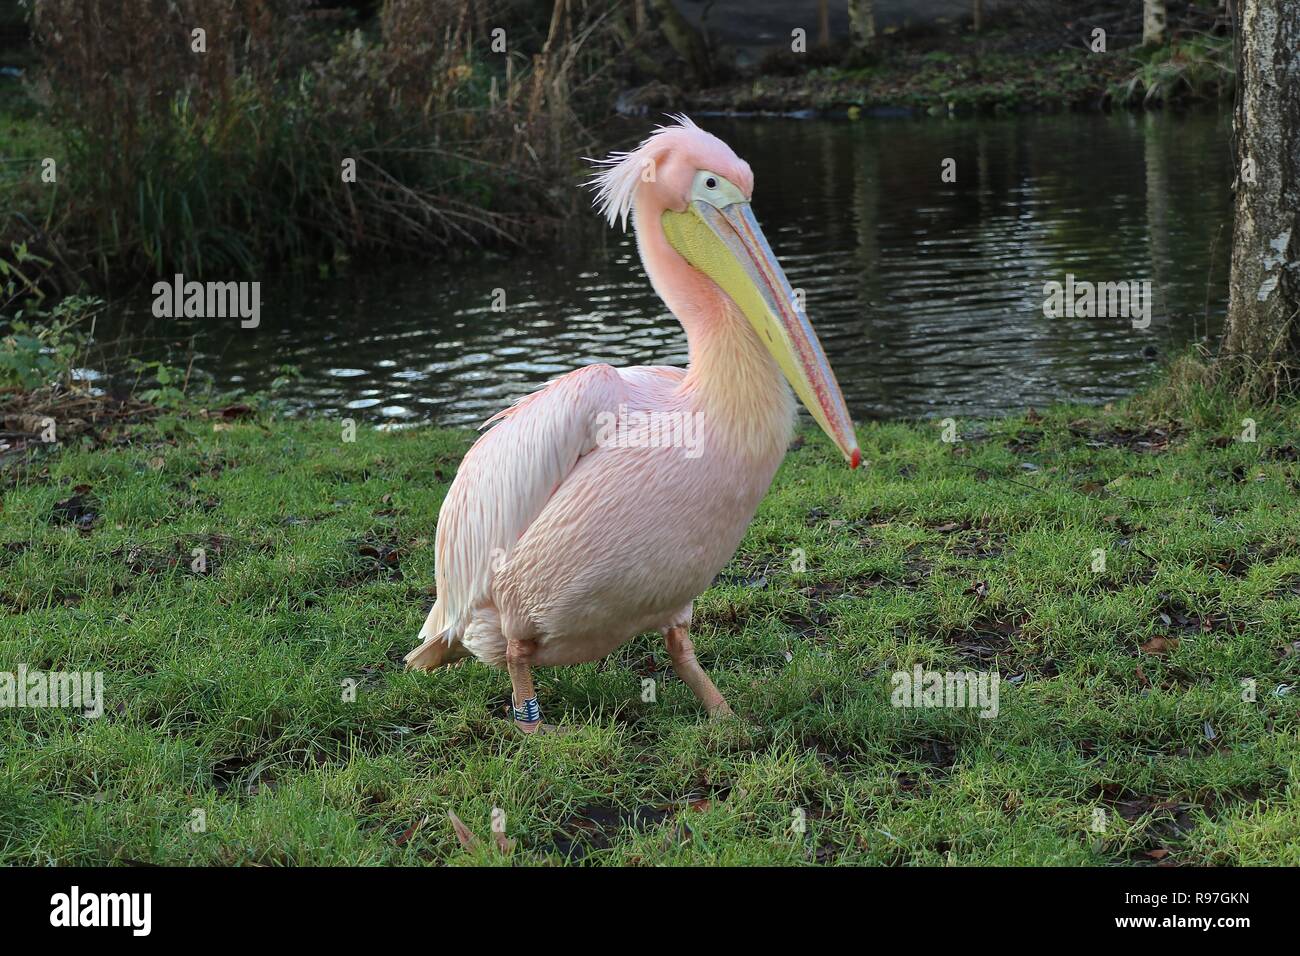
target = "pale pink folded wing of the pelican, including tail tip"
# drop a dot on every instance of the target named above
(502, 486)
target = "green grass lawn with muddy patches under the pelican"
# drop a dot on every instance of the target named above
(1124, 732)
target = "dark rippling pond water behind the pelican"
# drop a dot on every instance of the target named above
(928, 296)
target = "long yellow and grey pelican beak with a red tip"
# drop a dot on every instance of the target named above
(729, 246)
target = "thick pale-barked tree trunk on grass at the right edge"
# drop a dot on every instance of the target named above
(1262, 344)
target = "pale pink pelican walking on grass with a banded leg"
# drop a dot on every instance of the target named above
(604, 504)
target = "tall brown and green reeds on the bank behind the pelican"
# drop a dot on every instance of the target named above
(232, 159)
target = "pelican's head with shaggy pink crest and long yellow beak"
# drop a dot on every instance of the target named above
(701, 192)
